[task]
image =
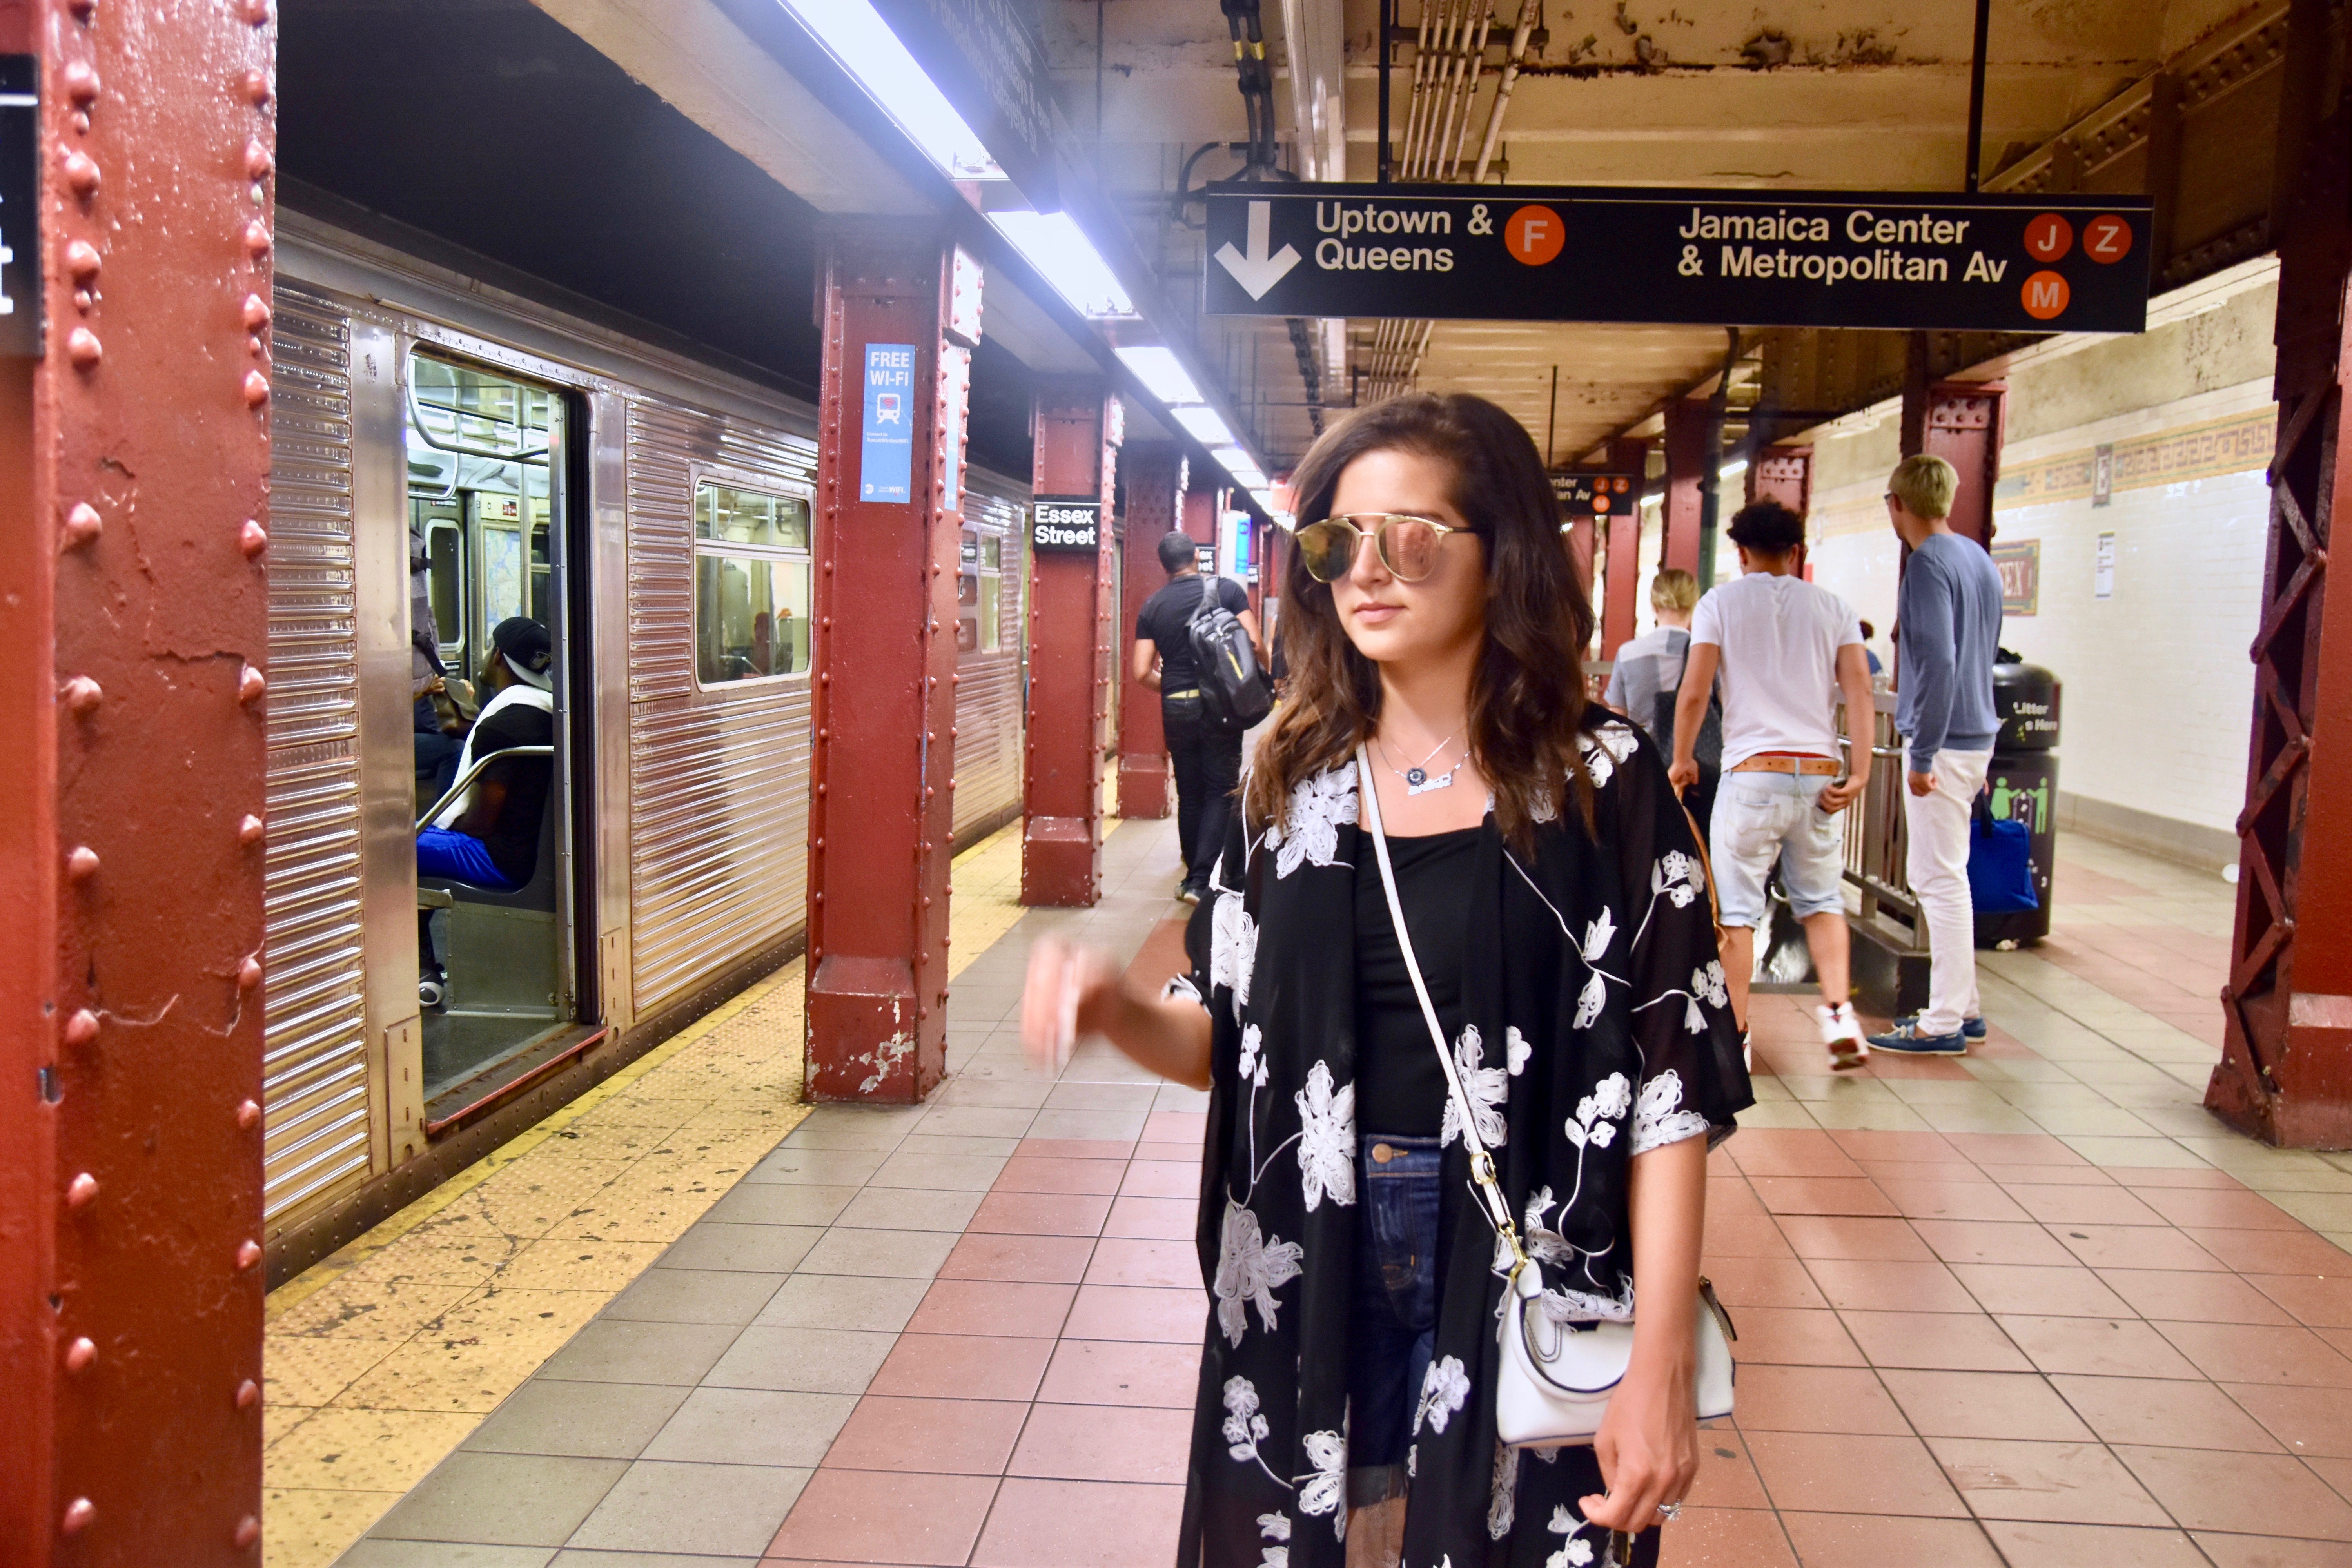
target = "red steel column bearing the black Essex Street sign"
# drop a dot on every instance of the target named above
(1062, 843)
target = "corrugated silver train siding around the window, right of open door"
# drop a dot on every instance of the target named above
(719, 843)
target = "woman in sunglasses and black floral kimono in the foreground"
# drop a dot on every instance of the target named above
(1556, 904)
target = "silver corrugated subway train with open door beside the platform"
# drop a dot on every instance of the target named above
(448, 460)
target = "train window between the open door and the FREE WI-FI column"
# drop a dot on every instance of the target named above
(751, 584)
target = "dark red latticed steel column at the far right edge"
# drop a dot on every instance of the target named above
(2287, 1007)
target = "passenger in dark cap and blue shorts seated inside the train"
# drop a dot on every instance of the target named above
(490, 833)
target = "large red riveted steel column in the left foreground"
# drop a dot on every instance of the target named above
(135, 638)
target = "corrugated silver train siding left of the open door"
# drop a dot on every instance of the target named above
(314, 998)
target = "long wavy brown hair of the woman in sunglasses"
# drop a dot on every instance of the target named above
(1528, 695)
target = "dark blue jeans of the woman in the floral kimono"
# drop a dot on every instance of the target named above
(1394, 1322)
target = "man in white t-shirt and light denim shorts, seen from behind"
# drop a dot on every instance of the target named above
(1784, 650)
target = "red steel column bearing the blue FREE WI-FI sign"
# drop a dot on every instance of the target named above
(881, 822)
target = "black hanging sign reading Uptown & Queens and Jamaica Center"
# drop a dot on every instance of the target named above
(1683, 257)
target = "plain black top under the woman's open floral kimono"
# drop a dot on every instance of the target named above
(1398, 1083)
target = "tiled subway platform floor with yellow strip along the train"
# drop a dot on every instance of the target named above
(2022, 1308)
